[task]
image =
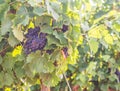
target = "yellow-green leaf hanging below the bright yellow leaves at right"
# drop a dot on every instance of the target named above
(93, 45)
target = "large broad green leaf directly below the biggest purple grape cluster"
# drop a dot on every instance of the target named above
(39, 64)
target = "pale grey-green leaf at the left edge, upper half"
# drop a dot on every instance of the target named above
(6, 26)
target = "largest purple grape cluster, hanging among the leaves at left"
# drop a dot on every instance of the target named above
(35, 40)
